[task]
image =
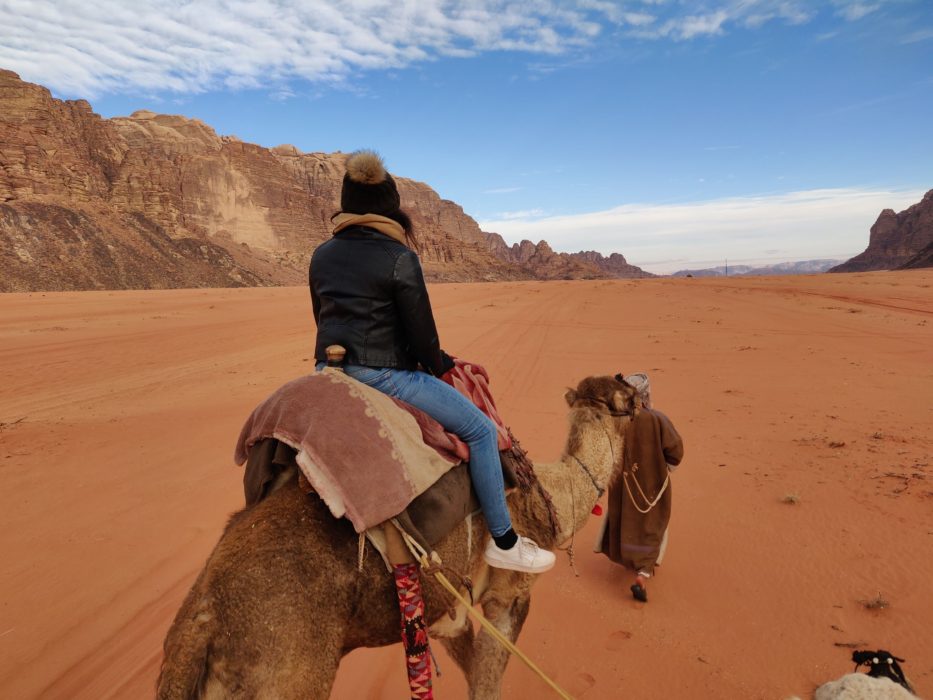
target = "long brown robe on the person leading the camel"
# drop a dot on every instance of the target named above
(632, 538)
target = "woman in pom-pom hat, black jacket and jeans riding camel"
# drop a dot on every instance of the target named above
(368, 295)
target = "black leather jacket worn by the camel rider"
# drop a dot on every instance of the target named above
(368, 294)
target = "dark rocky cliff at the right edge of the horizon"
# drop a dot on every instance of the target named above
(896, 239)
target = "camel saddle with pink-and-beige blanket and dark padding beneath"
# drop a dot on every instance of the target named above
(369, 457)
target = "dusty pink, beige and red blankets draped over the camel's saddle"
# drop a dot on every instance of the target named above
(365, 458)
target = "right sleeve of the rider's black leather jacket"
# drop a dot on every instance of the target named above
(414, 307)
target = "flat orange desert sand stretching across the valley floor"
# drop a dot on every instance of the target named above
(119, 412)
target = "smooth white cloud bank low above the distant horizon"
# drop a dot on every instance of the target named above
(830, 223)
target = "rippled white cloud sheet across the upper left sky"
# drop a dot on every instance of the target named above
(85, 47)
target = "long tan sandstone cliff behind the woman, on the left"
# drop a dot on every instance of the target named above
(154, 200)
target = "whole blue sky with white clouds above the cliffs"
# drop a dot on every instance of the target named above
(678, 133)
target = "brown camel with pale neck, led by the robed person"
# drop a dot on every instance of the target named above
(281, 600)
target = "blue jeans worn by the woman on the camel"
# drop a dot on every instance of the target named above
(458, 415)
